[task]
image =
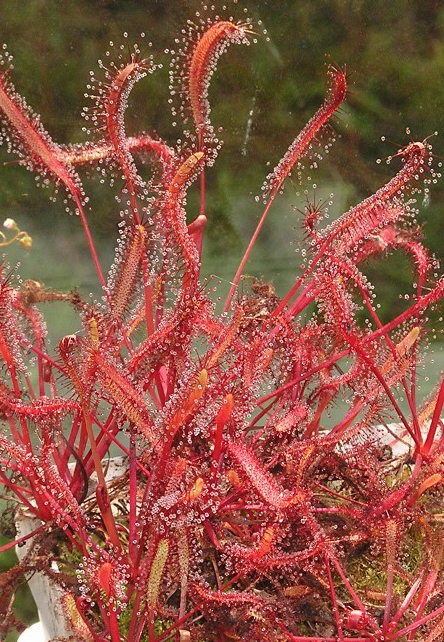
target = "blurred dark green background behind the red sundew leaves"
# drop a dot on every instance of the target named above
(261, 96)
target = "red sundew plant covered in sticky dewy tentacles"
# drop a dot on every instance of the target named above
(237, 515)
